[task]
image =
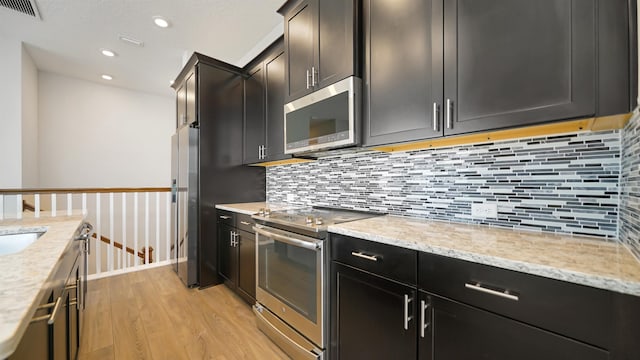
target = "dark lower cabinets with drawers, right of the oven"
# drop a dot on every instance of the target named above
(461, 310)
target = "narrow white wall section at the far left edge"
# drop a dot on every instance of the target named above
(10, 107)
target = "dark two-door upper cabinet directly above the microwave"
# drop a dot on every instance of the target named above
(321, 44)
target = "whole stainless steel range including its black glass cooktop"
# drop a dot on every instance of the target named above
(291, 268)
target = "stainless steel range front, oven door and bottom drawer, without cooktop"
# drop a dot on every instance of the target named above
(290, 290)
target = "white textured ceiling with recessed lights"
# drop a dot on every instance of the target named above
(68, 38)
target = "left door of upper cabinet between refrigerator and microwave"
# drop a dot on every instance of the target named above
(254, 133)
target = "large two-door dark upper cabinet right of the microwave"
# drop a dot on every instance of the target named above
(447, 67)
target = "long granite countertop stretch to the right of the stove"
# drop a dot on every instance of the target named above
(576, 259)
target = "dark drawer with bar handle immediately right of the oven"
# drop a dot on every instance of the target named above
(390, 261)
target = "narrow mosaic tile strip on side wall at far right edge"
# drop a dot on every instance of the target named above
(630, 186)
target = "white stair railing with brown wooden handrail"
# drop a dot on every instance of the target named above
(125, 229)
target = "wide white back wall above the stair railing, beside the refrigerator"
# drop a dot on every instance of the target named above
(92, 135)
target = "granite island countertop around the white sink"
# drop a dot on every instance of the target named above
(23, 275)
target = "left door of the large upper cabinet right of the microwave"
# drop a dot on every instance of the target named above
(403, 75)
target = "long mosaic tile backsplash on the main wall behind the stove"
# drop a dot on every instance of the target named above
(565, 183)
